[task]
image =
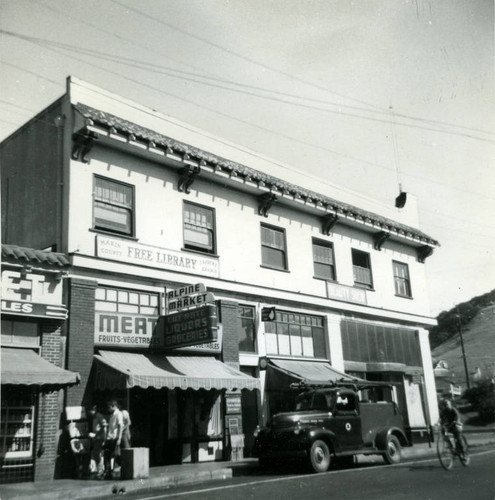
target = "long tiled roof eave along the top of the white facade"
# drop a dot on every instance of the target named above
(103, 122)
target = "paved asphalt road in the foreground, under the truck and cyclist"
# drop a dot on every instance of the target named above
(416, 480)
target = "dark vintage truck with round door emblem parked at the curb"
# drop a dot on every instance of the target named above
(331, 423)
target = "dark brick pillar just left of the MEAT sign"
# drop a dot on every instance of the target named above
(80, 335)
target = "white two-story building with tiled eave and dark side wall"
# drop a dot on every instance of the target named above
(307, 282)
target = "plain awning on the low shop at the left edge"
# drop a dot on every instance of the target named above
(25, 367)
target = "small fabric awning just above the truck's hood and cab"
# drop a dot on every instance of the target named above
(282, 372)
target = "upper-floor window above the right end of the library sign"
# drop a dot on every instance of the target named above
(199, 228)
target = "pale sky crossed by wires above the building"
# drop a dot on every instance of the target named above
(371, 95)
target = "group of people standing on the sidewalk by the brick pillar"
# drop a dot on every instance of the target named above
(98, 454)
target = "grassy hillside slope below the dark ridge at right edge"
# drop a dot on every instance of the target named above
(479, 344)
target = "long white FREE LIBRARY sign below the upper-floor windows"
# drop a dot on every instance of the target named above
(131, 252)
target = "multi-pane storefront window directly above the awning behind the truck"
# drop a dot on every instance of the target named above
(294, 334)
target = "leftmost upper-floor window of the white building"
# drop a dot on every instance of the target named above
(113, 206)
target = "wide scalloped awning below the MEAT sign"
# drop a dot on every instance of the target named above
(114, 370)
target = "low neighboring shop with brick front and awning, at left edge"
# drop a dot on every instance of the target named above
(32, 360)
